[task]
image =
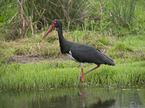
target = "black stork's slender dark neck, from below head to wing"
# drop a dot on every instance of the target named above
(64, 44)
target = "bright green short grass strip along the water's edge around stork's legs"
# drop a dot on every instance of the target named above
(56, 74)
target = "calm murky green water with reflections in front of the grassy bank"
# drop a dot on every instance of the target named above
(74, 98)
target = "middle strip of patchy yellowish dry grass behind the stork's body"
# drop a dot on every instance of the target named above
(129, 47)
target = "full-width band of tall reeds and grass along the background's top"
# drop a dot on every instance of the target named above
(113, 17)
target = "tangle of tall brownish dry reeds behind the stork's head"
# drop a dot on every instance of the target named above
(31, 16)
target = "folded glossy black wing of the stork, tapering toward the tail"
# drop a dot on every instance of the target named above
(86, 53)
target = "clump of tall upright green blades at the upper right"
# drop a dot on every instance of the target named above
(123, 12)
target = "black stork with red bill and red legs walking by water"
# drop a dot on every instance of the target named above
(79, 52)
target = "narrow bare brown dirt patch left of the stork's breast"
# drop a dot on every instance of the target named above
(34, 58)
